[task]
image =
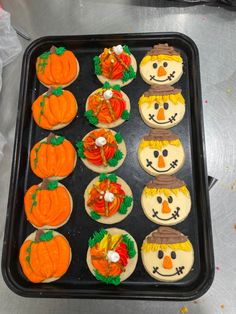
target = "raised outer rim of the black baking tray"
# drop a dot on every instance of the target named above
(84, 293)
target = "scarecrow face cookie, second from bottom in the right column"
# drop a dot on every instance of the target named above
(166, 200)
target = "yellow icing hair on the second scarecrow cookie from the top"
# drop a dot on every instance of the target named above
(175, 99)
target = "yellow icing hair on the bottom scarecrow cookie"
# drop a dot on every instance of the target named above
(184, 246)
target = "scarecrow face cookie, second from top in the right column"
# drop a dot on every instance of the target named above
(162, 106)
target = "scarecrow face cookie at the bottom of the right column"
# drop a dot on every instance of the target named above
(167, 254)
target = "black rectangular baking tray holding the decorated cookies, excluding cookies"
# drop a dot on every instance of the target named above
(78, 282)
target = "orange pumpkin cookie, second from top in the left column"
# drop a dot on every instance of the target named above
(54, 109)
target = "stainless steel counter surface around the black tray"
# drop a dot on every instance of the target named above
(213, 30)
